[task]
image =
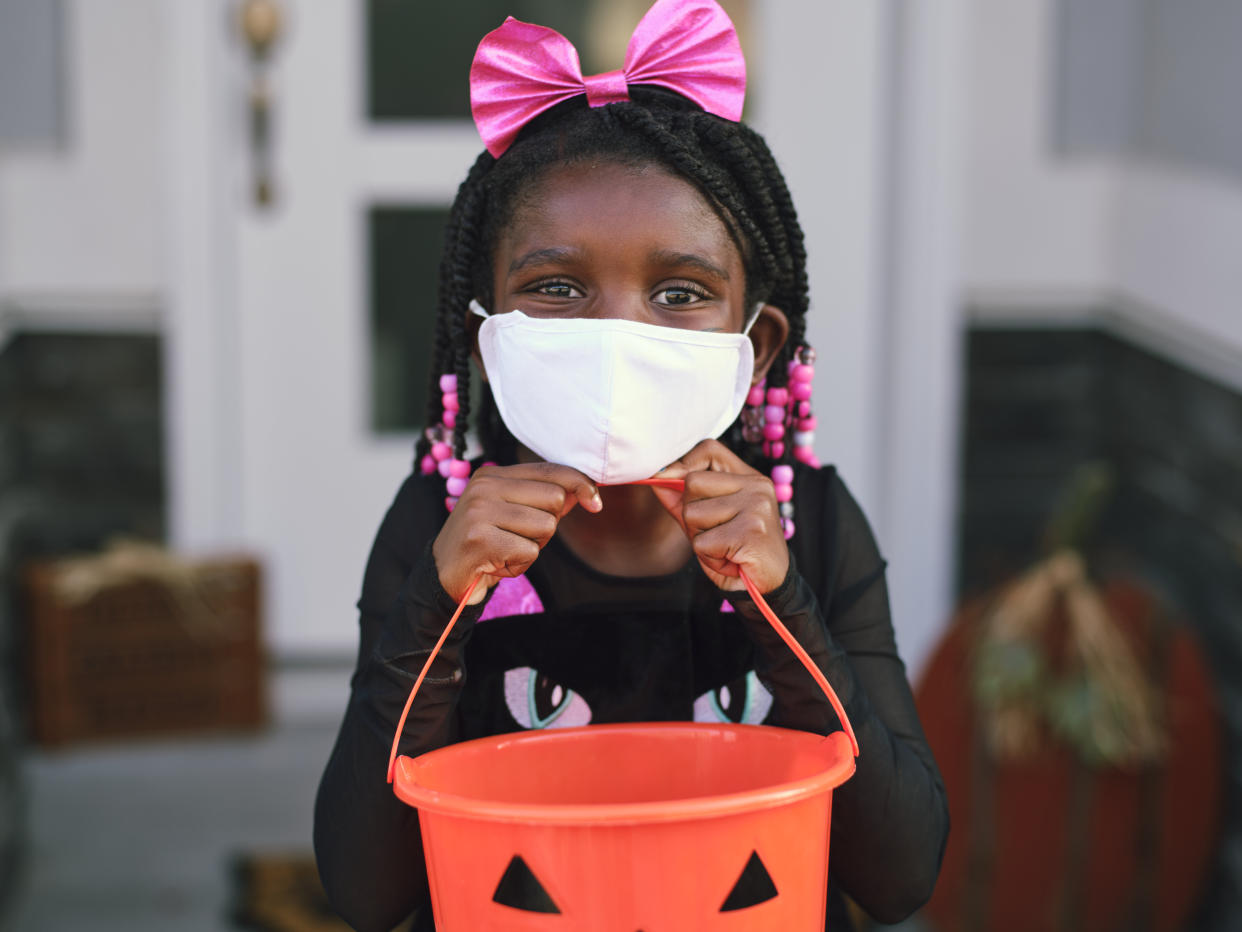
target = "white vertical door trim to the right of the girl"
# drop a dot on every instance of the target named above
(922, 341)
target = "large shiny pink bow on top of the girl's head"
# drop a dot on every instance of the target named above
(522, 70)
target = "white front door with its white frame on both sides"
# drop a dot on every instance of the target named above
(879, 193)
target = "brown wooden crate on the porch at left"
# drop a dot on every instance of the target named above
(143, 658)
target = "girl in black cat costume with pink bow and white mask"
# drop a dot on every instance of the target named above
(625, 272)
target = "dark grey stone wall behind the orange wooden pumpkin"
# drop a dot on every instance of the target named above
(1039, 403)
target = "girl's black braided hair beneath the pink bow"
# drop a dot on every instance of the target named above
(727, 162)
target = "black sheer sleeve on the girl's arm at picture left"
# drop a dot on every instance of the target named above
(367, 841)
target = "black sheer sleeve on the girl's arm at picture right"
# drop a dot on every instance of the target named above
(891, 820)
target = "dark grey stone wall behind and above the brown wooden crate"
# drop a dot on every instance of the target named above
(81, 457)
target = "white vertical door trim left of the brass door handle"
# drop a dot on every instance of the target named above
(201, 350)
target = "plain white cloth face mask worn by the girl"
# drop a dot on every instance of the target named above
(615, 400)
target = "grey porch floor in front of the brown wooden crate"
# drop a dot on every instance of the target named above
(142, 837)
